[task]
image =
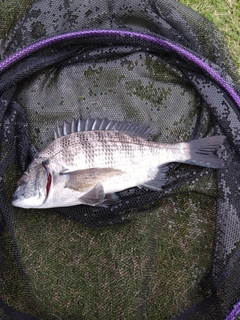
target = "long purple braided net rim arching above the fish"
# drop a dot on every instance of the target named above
(122, 33)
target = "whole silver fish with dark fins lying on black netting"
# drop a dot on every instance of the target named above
(91, 160)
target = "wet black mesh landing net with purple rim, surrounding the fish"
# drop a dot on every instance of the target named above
(170, 254)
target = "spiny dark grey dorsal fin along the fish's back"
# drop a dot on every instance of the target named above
(89, 124)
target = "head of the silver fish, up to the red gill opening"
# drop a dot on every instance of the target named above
(34, 185)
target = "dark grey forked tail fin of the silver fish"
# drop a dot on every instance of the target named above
(203, 152)
